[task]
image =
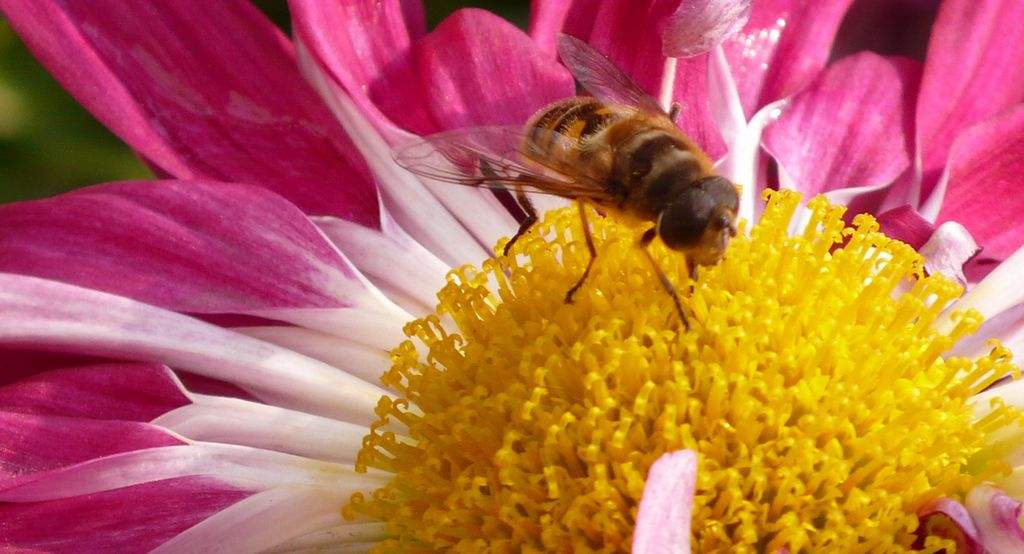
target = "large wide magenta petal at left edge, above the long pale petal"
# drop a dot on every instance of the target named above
(189, 246)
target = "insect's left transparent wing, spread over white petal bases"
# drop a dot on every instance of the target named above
(494, 158)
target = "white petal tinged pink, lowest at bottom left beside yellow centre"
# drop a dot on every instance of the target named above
(264, 521)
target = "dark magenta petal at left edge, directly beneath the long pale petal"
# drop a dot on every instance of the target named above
(108, 392)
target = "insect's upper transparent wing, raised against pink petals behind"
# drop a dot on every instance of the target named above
(602, 78)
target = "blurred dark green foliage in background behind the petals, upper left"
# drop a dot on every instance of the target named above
(49, 144)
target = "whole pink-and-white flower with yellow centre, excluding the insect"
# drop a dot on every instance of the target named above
(289, 344)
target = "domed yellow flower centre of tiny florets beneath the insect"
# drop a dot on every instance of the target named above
(812, 383)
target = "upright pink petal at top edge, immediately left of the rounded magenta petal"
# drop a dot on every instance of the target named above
(367, 48)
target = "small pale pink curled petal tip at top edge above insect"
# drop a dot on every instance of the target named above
(699, 26)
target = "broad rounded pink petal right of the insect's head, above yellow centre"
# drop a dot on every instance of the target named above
(827, 140)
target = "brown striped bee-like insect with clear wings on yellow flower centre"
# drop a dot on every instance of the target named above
(616, 150)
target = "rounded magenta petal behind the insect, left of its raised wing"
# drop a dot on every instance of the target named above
(479, 69)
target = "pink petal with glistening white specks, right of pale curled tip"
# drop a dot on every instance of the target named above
(783, 48)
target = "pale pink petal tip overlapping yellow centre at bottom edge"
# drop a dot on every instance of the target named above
(664, 519)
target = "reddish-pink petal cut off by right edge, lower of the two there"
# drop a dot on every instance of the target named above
(983, 190)
